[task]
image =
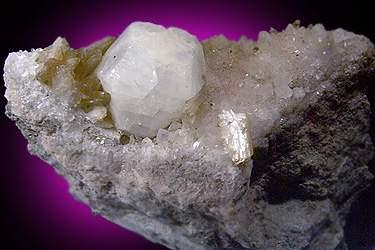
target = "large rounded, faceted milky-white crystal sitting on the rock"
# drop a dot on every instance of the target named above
(151, 72)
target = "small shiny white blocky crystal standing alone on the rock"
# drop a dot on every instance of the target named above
(235, 132)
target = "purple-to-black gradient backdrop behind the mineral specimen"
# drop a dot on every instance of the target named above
(36, 208)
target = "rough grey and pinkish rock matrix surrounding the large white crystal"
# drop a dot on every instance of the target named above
(304, 93)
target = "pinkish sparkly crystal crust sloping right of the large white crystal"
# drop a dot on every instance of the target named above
(279, 74)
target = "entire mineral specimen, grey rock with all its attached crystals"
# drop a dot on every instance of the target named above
(189, 176)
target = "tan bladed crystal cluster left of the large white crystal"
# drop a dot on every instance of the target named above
(70, 73)
